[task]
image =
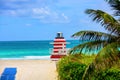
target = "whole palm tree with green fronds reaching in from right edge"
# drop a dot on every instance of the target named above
(108, 44)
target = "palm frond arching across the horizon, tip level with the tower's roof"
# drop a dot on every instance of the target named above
(94, 36)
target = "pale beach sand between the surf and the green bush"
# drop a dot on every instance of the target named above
(31, 69)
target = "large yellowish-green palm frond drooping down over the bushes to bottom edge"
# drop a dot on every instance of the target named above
(106, 58)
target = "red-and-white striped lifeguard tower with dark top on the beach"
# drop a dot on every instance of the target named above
(59, 47)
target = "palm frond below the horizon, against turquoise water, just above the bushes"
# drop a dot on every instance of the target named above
(88, 47)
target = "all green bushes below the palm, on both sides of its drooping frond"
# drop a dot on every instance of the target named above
(73, 67)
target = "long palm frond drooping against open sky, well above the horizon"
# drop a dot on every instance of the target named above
(106, 20)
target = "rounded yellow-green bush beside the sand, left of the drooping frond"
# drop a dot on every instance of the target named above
(72, 67)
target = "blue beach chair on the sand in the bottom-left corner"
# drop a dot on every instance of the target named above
(8, 74)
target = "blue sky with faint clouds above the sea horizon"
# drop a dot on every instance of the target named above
(42, 19)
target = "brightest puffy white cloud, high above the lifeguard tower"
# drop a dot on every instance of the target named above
(46, 15)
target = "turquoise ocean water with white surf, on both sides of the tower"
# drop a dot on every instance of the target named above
(29, 49)
